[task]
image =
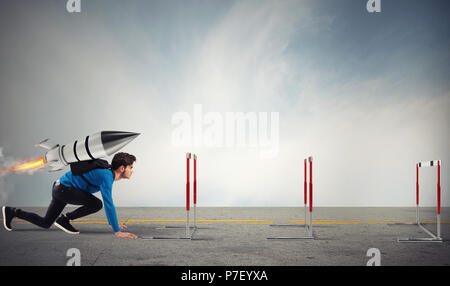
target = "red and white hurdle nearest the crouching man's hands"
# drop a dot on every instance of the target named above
(189, 234)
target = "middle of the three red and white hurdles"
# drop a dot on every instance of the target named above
(306, 225)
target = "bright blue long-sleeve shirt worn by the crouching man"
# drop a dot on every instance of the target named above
(104, 178)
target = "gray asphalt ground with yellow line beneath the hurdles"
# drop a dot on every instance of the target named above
(231, 237)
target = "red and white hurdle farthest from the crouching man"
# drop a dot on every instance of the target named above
(432, 237)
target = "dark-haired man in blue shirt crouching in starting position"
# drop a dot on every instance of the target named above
(78, 190)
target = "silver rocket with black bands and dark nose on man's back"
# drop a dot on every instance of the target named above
(94, 146)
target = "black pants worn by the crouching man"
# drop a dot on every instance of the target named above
(61, 196)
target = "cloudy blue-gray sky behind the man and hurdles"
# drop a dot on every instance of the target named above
(366, 94)
